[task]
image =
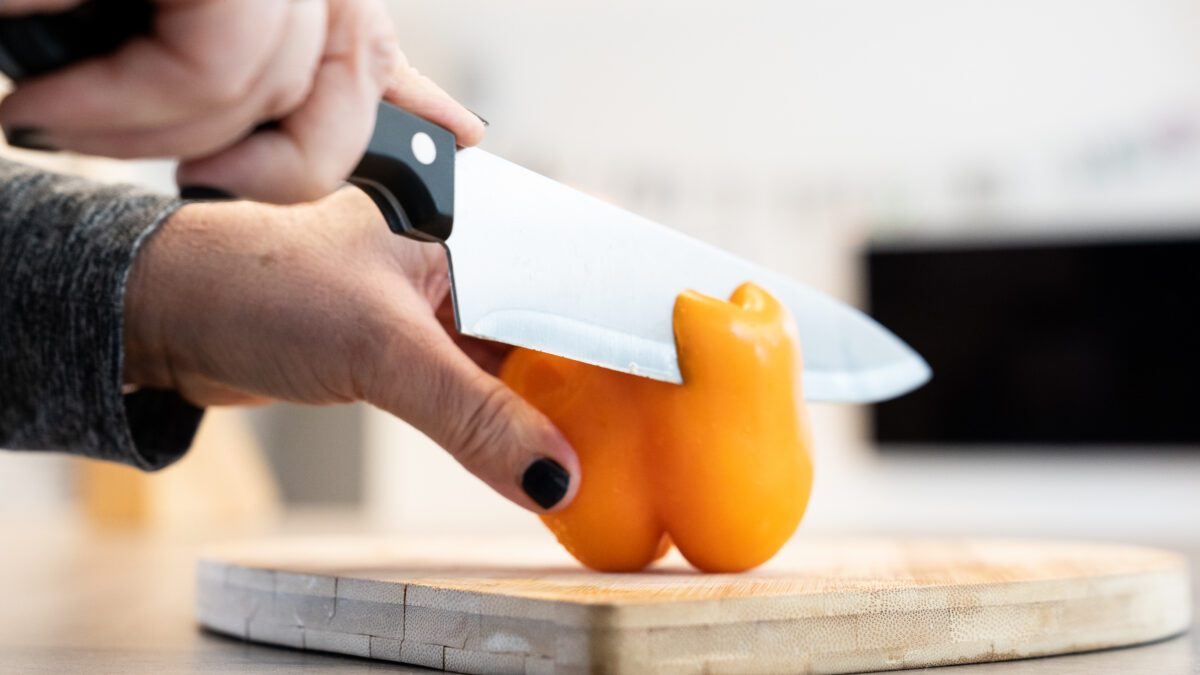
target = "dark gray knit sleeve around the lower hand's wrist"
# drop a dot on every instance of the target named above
(67, 247)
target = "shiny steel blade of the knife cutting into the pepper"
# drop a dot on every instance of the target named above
(541, 266)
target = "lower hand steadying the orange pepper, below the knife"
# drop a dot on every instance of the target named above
(238, 302)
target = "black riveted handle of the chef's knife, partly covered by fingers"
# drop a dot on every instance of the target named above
(407, 169)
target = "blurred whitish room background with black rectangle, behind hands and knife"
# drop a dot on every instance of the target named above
(1015, 188)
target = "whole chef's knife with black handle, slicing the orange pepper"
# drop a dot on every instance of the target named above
(535, 264)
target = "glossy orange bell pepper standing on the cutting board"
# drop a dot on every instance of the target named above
(721, 465)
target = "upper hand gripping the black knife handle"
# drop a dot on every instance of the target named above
(215, 70)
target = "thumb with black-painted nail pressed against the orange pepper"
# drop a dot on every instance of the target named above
(491, 431)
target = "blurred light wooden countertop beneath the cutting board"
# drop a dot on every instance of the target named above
(76, 600)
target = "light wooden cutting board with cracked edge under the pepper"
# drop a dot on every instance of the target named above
(838, 606)
